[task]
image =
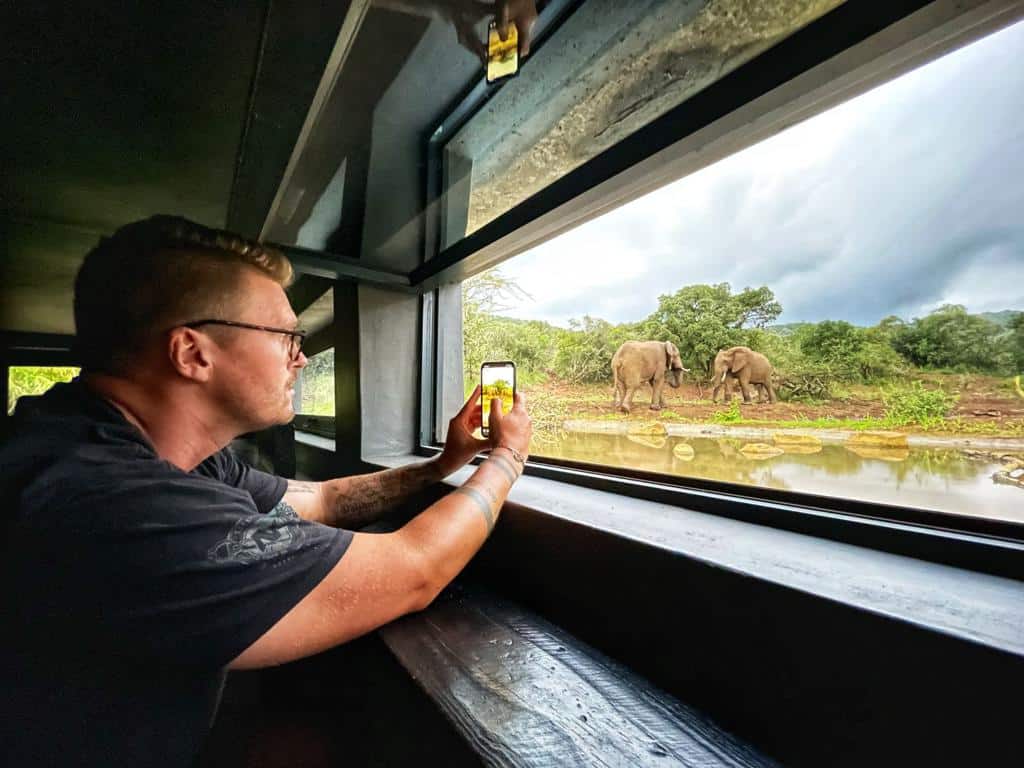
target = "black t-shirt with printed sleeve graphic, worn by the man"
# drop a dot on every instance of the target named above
(131, 585)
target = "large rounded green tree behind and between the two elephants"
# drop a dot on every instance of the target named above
(702, 320)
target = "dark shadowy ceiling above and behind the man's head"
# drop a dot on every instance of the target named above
(117, 112)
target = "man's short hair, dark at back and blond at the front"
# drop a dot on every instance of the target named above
(154, 275)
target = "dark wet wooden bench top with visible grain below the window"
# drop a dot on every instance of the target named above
(524, 693)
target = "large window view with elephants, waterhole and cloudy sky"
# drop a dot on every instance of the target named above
(871, 262)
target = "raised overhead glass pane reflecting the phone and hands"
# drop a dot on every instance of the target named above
(594, 76)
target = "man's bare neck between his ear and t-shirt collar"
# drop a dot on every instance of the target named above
(175, 423)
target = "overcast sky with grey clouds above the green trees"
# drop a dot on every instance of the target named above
(905, 199)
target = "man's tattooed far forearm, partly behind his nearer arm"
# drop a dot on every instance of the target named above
(358, 501)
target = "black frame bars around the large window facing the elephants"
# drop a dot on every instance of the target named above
(983, 544)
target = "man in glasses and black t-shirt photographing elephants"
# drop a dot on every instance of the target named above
(143, 560)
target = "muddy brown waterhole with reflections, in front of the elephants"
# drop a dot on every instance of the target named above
(941, 480)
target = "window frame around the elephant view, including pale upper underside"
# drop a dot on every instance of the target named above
(855, 49)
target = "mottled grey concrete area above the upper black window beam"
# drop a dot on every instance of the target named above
(612, 69)
